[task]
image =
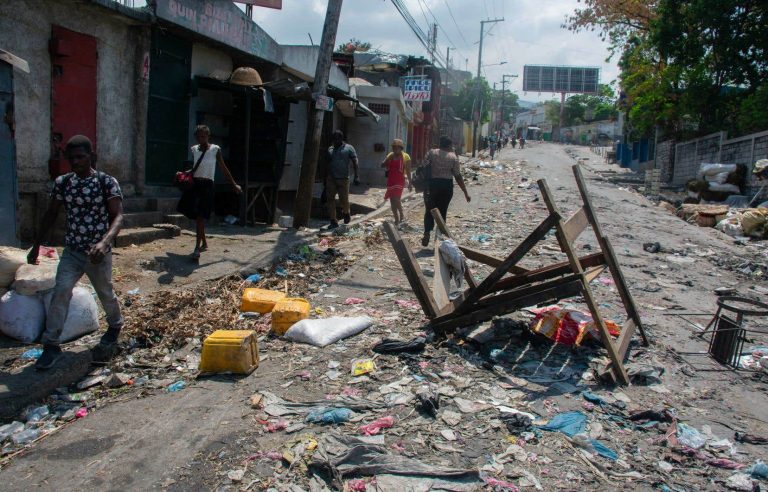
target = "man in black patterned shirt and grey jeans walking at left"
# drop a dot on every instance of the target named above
(94, 205)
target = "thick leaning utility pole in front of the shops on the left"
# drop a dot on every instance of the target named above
(303, 205)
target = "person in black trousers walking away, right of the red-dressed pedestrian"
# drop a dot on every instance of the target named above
(444, 167)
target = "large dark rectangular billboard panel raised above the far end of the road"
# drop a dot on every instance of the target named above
(550, 78)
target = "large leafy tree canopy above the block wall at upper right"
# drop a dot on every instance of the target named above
(688, 67)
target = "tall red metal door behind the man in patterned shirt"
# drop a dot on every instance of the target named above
(73, 92)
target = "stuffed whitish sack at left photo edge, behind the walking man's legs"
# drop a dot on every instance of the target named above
(22, 317)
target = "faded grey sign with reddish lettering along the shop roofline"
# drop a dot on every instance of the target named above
(221, 21)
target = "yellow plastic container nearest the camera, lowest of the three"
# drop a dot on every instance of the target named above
(234, 351)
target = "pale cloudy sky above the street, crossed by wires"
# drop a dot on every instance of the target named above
(530, 34)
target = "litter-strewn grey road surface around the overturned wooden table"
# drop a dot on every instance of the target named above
(193, 439)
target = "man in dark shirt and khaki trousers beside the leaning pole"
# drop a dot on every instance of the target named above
(340, 154)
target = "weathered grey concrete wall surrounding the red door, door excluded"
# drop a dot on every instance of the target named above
(25, 30)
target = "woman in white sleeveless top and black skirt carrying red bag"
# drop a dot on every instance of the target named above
(197, 204)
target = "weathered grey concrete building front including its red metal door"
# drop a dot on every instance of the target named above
(87, 75)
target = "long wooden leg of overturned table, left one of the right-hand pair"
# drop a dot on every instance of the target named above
(589, 300)
